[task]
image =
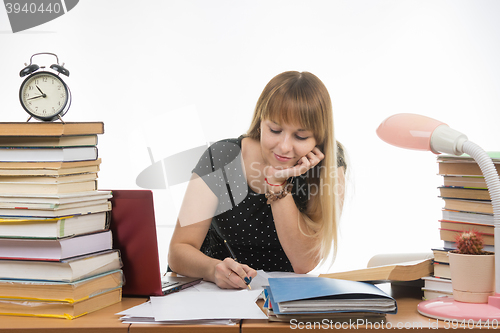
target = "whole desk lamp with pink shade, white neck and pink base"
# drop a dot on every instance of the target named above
(418, 132)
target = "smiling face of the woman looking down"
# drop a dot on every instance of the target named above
(283, 145)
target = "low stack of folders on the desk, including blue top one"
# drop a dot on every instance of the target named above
(311, 298)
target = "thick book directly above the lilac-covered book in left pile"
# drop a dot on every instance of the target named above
(31, 227)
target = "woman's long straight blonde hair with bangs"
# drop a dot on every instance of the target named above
(301, 98)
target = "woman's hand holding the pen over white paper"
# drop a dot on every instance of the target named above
(230, 274)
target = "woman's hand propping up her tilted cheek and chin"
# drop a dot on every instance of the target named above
(309, 161)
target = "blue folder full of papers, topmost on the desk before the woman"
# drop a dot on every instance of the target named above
(307, 295)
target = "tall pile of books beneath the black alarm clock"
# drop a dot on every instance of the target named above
(56, 253)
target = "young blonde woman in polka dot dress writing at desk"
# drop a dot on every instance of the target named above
(270, 198)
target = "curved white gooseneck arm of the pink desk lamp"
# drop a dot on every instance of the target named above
(493, 183)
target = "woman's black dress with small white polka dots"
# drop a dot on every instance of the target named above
(243, 217)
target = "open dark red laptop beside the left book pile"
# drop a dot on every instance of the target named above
(134, 234)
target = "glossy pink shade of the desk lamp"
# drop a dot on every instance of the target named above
(408, 130)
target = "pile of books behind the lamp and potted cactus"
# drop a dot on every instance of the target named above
(467, 206)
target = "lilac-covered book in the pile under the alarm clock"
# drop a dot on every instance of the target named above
(55, 249)
